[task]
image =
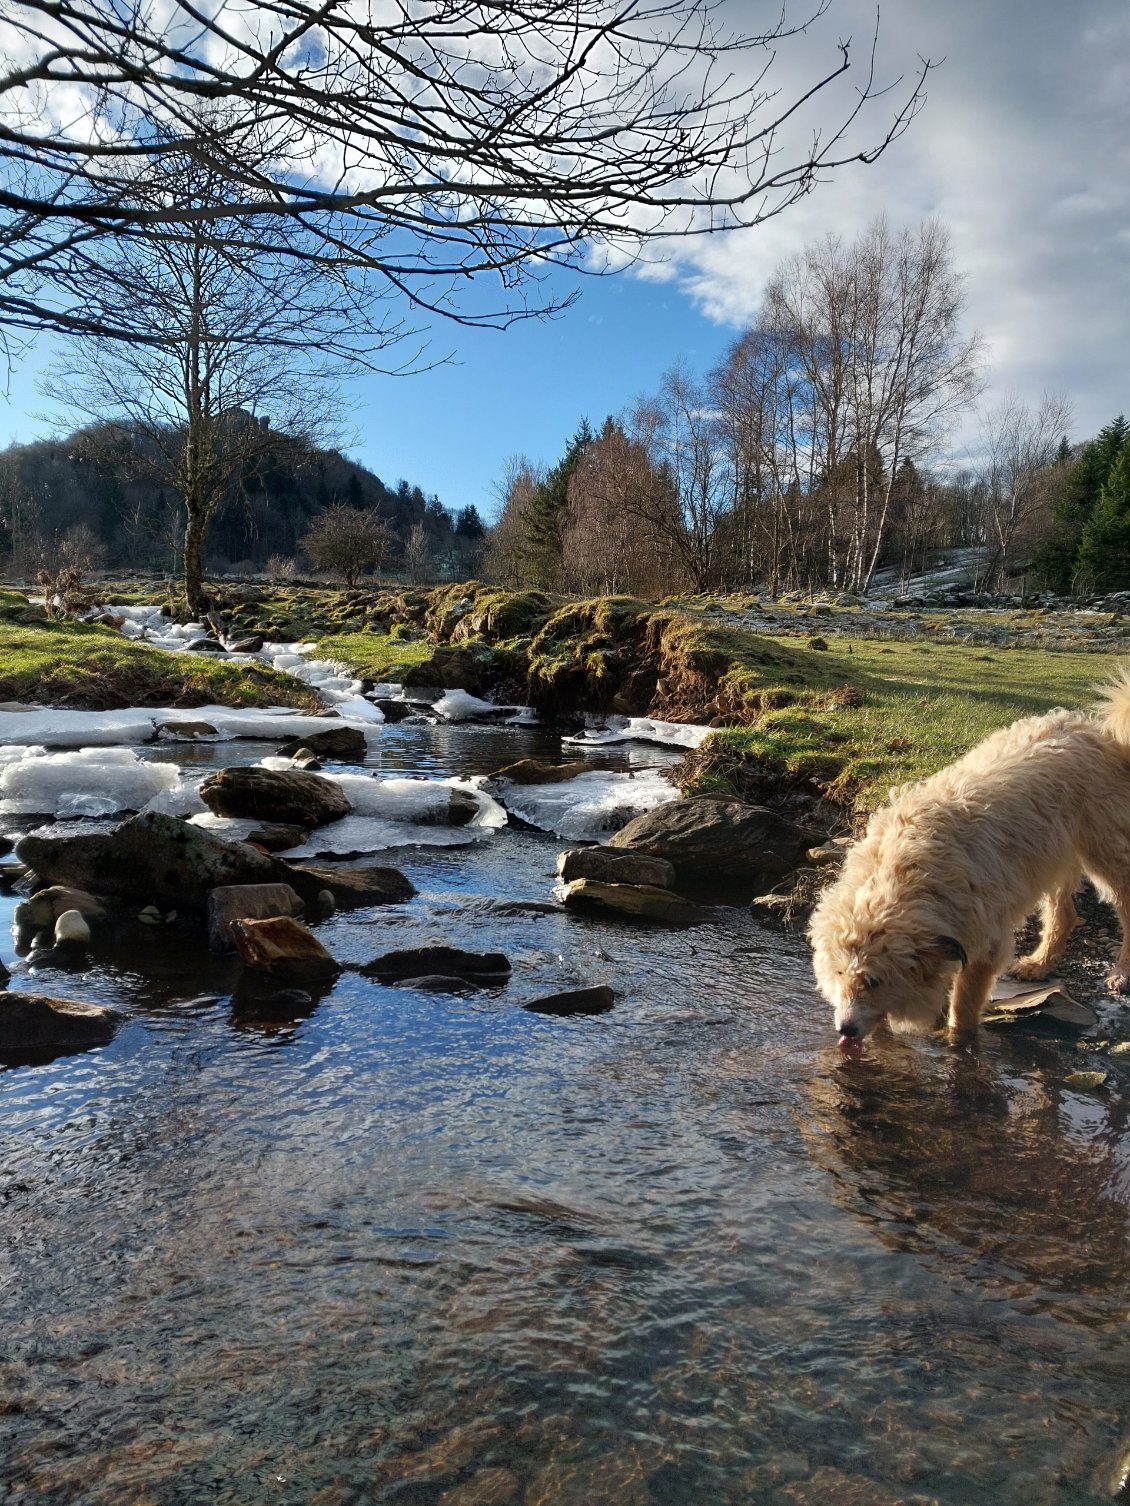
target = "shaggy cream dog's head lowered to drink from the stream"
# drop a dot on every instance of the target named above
(899, 971)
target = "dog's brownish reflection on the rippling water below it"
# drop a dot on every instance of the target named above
(1006, 1172)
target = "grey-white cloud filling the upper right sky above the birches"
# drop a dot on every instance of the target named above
(1022, 151)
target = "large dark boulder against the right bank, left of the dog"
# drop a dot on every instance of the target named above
(719, 846)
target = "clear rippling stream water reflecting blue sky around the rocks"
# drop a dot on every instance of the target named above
(441, 1252)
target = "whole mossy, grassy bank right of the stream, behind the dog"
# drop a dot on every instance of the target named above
(843, 718)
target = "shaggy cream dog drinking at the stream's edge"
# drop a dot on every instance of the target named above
(926, 906)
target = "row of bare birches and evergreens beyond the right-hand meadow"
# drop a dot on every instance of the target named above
(814, 454)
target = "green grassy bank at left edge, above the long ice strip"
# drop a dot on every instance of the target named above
(96, 669)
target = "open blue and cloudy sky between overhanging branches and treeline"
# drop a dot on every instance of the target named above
(1022, 151)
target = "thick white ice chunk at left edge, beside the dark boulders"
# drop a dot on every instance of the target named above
(94, 782)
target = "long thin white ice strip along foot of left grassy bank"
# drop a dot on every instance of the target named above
(82, 730)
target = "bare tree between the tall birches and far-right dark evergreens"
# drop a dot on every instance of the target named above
(1022, 447)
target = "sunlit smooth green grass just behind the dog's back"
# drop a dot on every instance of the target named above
(891, 713)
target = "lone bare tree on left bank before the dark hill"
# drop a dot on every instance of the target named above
(234, 356)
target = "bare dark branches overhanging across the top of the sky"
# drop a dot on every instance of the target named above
(429, 144)
